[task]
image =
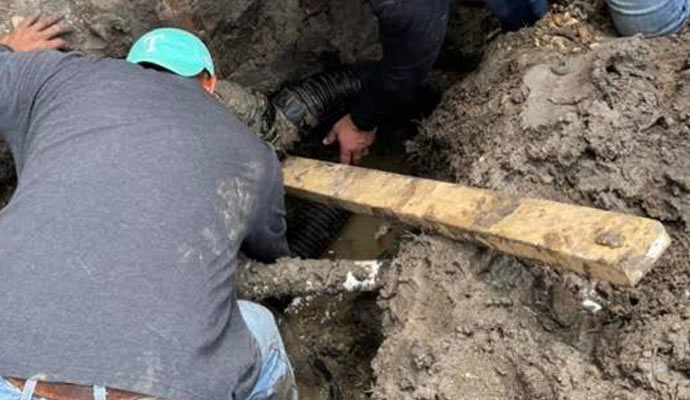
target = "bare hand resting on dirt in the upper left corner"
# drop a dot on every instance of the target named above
(36, 33)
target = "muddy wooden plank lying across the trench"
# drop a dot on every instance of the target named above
(610, 246)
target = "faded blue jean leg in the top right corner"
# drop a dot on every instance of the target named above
(648, 17)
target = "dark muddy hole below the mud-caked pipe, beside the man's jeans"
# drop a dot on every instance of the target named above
(332, 342)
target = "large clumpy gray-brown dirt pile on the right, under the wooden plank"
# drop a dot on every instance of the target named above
(567, 112)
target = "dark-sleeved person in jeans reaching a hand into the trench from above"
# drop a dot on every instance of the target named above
(412, 32)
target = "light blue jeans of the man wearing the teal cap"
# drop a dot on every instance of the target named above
(276, 379)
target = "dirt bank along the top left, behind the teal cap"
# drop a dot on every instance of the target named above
(256, 43)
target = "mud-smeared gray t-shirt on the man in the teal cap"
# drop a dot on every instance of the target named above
(118, 250)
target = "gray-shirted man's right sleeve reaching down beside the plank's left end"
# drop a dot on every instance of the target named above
(267, 239)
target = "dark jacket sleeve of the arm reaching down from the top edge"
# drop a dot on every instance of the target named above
(411, 32)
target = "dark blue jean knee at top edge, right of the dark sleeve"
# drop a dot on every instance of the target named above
(515, 14)
